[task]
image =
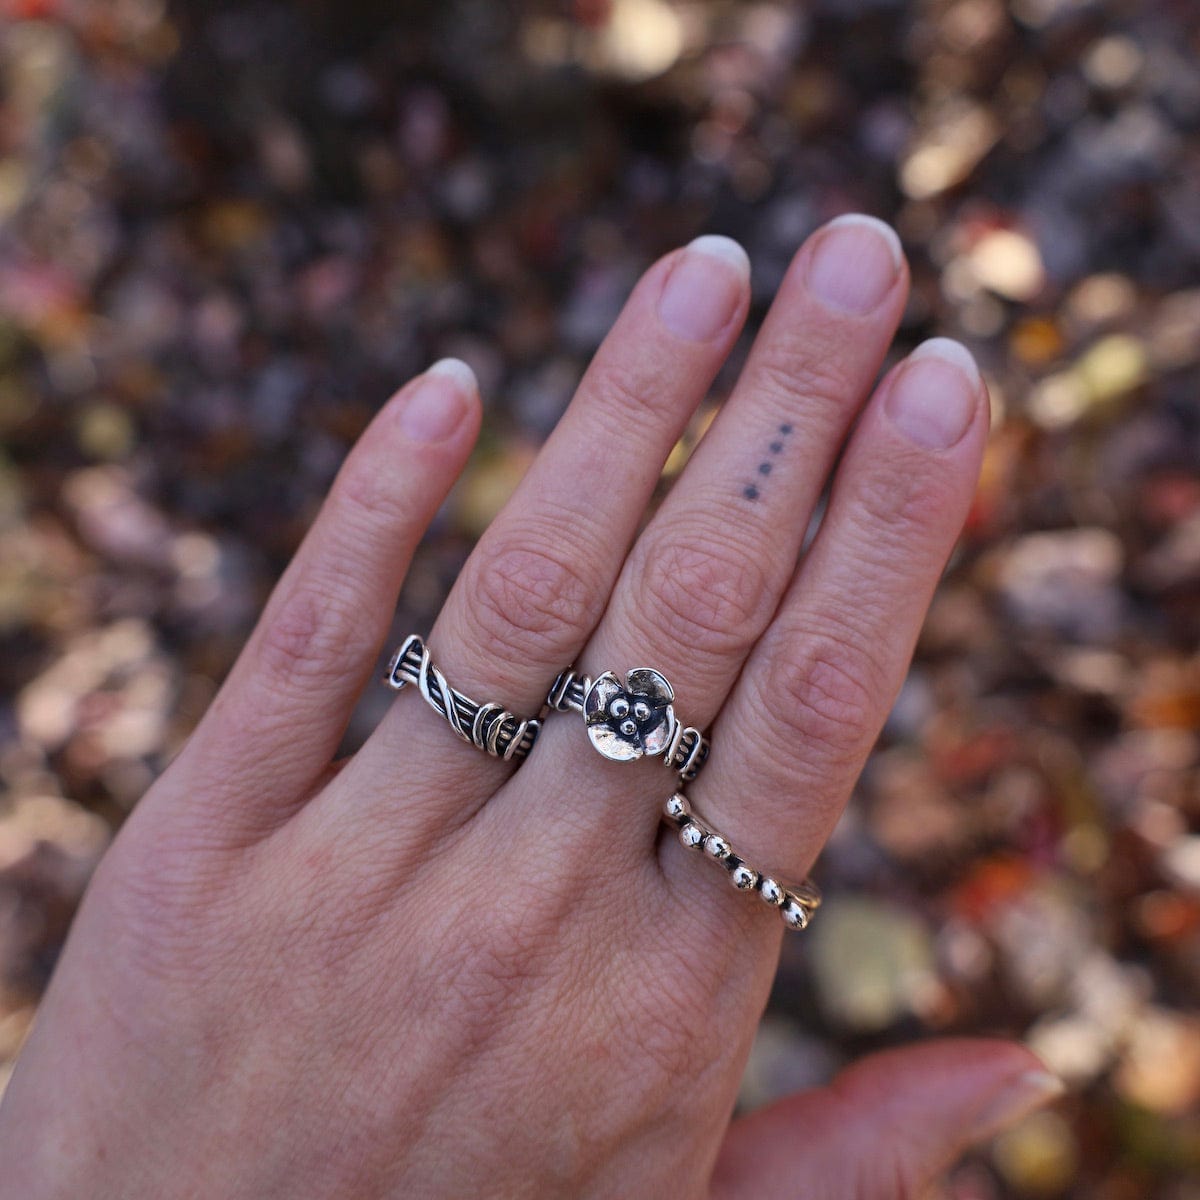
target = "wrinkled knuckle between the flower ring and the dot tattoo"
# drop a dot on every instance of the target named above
(711, 597)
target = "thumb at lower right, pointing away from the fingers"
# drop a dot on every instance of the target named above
(887, 1127)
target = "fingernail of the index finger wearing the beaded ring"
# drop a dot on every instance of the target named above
(934, 398)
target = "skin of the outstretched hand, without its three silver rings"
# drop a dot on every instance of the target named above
(427, 973)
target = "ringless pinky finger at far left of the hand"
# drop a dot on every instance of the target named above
(277, 723)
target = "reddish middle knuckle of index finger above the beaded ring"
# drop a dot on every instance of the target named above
(826, 697)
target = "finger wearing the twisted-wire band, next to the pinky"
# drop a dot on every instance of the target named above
(533, 589)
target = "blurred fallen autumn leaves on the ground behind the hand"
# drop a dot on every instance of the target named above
(230, 231)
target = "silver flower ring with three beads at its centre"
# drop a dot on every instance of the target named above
(632, 719)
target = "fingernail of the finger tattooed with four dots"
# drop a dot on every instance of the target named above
(855, 263)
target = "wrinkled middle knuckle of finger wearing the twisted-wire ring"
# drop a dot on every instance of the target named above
(526, 592)
